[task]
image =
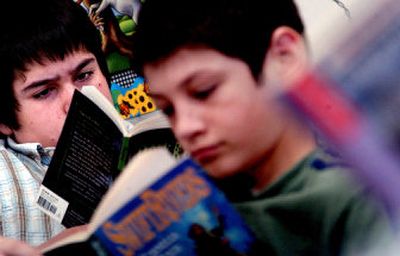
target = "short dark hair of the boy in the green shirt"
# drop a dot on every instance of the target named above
(237, 28)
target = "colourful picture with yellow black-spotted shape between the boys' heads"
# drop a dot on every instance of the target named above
(116, 22)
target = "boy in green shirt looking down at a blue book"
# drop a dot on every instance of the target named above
(213, 67)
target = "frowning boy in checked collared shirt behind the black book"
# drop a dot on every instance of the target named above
(49, 52)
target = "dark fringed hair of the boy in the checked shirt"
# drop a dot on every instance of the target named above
(45, 29)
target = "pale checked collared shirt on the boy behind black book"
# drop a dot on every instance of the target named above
(22, 169)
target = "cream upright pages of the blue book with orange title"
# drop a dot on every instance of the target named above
(144, 169)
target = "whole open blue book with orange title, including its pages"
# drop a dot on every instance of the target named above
(160, 205)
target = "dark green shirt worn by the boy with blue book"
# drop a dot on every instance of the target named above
(316, 208)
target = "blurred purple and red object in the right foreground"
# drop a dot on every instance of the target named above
(355, 99)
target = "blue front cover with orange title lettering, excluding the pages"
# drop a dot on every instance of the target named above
(181, 214)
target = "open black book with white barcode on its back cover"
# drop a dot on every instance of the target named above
(93, 148)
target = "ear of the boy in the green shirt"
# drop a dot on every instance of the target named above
(287, 57)
